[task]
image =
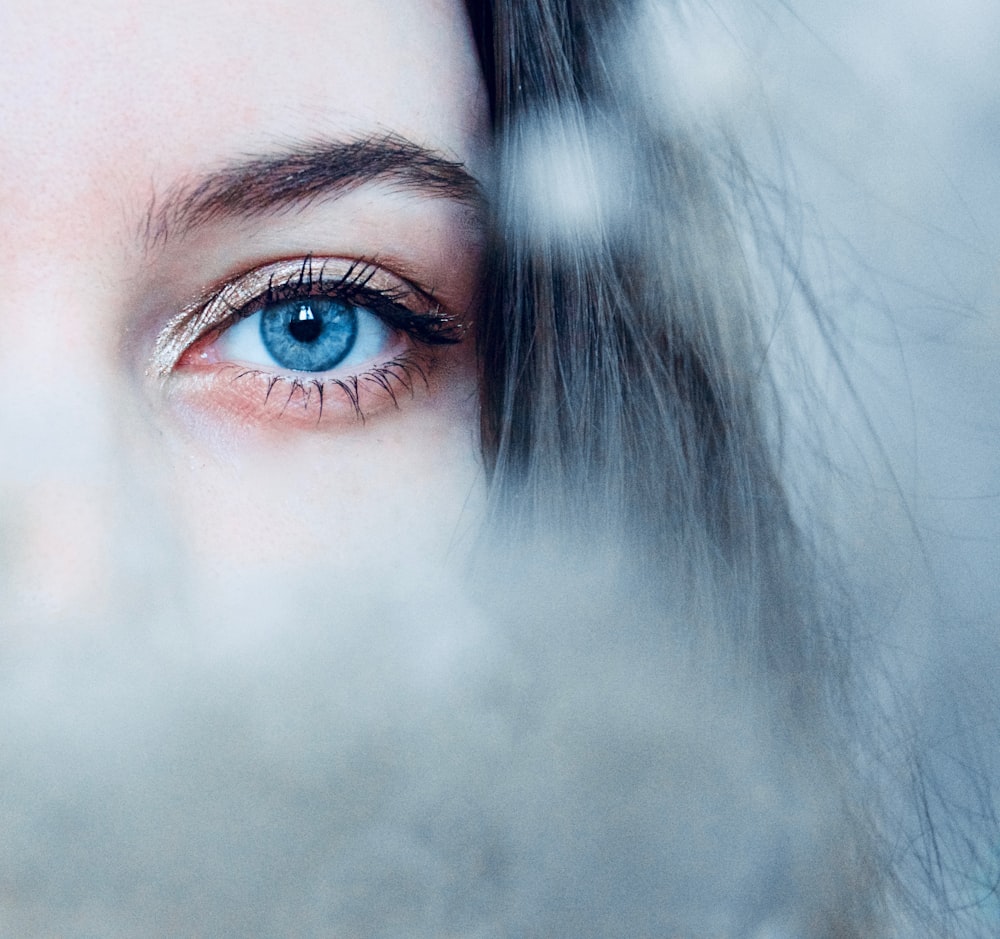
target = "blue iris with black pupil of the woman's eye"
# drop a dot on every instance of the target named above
(311, 335)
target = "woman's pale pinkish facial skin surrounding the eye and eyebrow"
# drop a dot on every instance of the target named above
(108, 108)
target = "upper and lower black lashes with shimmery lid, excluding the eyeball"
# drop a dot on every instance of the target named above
(403, 307)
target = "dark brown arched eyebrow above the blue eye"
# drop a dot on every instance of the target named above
(303, 173)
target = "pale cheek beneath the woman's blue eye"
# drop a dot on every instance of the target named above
(280, 526)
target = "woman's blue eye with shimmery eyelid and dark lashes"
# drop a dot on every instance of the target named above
(312, 326)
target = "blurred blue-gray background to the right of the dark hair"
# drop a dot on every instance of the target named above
(885, 119)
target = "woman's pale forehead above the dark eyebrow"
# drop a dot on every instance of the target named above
(110, 95)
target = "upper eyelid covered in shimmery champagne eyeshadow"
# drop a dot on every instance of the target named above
(217, 306)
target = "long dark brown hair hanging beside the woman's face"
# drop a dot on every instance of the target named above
(624, 381)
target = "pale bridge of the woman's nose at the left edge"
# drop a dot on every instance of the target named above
(62, 458)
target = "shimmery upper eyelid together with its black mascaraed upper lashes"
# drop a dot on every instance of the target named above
(217, 310)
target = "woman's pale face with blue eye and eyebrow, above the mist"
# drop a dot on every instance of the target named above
(239, 251)
